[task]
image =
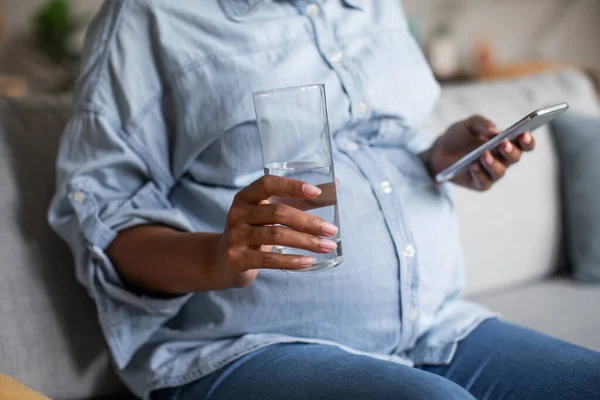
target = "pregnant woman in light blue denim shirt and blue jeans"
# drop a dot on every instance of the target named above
(162, 201)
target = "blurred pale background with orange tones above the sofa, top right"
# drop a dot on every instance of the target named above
(468, 39)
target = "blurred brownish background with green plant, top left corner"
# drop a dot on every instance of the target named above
(40, 41)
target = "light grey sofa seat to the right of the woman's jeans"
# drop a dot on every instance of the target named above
(558, 307)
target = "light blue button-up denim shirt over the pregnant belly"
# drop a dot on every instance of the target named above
(164, 132)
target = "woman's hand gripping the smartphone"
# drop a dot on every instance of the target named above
(463, 137)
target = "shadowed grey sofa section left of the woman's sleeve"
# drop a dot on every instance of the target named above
(49, 337)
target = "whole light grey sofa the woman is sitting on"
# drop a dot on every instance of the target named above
(49, 338)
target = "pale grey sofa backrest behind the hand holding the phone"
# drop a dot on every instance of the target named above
(512, 233)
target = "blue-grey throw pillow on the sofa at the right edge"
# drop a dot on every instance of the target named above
(578, 144)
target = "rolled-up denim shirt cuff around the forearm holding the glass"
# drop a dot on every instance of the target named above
(128, 319)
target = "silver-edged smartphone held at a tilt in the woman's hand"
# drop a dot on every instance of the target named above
(530, 123)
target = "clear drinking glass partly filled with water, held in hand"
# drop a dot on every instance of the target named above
(295, 143)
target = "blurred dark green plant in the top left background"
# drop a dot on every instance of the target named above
(54, 24)
